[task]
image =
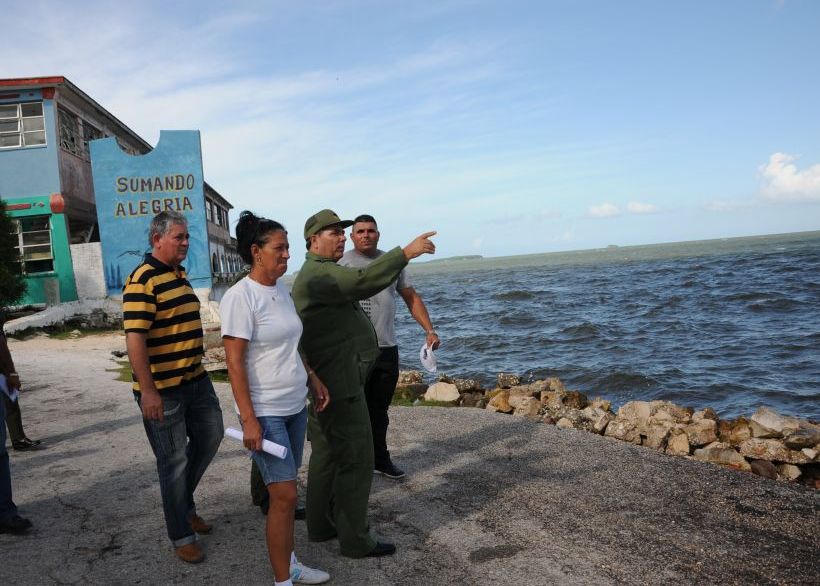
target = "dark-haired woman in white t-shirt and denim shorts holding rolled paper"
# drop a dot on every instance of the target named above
(270, 381)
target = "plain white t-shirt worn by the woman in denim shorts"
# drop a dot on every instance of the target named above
(266, 317)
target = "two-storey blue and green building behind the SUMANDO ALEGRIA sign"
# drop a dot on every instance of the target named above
(46, 125)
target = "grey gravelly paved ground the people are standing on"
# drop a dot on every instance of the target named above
(488, 499)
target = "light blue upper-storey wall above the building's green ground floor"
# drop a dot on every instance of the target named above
(33, 171)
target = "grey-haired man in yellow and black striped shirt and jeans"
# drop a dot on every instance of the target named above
(180, 410)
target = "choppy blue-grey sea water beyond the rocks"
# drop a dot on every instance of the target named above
(730, 324)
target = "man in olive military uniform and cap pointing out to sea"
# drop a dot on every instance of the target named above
(340, 344)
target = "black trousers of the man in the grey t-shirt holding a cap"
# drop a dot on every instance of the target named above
(381, 385)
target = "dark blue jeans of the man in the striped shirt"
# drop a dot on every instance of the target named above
(184, 443)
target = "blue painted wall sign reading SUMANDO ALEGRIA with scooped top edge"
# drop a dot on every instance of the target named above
(131, 190)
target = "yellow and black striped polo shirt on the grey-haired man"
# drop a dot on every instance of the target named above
(160, 302)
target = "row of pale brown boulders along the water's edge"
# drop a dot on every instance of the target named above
(766, 443)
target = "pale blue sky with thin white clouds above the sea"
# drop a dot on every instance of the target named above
(510, 127)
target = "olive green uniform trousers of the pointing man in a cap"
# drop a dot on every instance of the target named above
(340, 474)
